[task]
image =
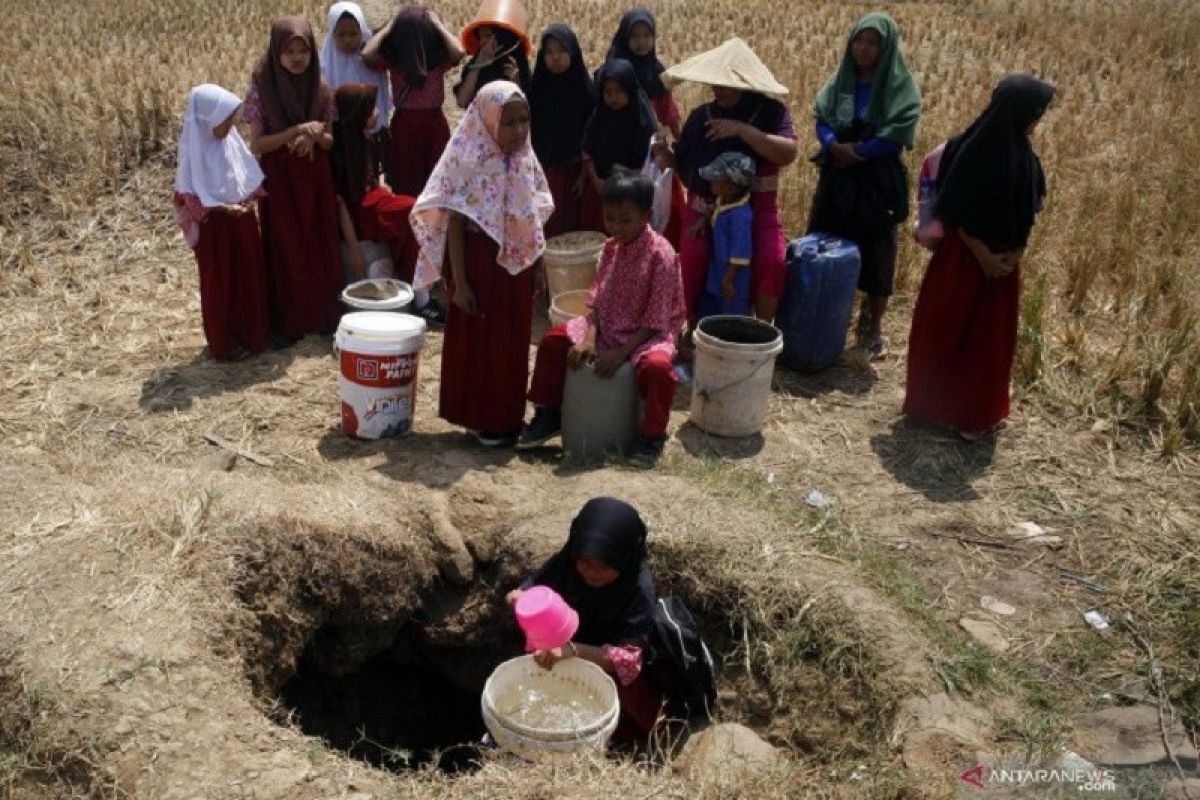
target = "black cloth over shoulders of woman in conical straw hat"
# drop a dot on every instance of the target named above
(695, 149)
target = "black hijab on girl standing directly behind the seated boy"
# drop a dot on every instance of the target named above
(620, 137)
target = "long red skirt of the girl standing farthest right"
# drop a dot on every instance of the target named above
(963, 341)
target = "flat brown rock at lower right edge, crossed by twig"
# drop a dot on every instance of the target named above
(1130, 737)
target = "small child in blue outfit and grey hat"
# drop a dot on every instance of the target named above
(728, 290)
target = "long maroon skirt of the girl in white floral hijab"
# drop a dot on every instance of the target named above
(485, 358)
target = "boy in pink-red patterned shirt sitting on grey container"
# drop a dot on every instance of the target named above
(638, 310)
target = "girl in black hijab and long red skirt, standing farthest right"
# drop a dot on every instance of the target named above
(991, 189)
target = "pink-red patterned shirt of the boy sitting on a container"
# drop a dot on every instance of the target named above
(638, 286)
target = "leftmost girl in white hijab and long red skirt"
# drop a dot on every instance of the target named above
(217, 183)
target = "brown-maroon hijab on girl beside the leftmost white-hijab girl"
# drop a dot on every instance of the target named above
(287, 99)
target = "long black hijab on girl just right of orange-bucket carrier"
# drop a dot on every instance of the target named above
(560, 105)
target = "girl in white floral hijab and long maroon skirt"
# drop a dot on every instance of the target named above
(482, 216)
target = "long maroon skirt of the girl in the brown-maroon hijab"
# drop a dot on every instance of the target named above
(299, 219)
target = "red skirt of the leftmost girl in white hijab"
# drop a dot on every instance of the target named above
(233, 284)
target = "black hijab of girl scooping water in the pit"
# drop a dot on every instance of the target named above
(623, 612)
